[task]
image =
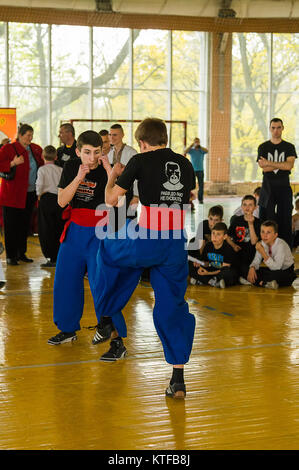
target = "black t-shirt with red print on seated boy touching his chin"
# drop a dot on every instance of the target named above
(239, 232)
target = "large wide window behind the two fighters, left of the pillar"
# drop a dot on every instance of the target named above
(56, 73)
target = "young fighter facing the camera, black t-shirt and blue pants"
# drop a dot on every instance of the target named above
(82, 188)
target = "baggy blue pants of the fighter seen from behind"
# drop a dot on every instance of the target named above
(120, 263)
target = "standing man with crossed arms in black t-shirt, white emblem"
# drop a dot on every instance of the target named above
(276, 157)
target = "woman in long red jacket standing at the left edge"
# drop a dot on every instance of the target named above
(17, 196)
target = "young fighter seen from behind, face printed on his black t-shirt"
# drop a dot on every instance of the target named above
(165, 180)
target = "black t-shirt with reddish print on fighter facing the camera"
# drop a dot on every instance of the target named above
(91, 192)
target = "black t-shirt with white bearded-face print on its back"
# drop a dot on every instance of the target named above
(164, 177)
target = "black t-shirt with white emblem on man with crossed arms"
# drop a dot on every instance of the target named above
(277, 153)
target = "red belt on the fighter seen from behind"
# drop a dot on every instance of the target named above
(161, 218)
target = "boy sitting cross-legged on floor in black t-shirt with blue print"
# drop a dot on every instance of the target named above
(218, 266)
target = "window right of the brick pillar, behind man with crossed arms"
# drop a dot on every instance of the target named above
(264, 85)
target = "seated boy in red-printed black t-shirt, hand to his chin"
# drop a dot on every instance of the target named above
(244, 231)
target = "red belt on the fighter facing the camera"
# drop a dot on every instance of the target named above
(83, 217)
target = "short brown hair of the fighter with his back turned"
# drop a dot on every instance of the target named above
(152, 131)
